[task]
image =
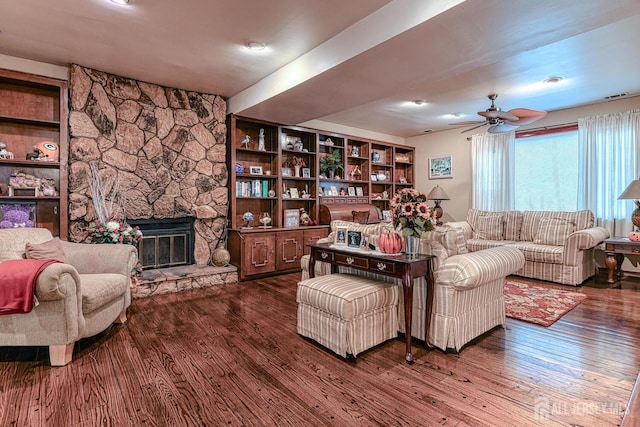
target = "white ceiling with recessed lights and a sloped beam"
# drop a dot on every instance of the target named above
(355, 63)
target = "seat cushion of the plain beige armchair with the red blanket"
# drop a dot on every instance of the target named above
(101, 289)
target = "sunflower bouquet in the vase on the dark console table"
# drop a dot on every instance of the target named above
(410, 212)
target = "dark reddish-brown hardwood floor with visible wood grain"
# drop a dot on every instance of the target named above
(230, 355)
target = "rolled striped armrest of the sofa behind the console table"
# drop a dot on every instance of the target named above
(476, 268)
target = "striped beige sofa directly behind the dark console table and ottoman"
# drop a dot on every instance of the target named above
(469, 287)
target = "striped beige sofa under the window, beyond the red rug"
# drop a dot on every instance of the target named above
(557, 246)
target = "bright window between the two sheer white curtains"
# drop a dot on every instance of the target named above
(546, 170)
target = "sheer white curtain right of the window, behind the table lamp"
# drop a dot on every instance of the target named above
(608, 162)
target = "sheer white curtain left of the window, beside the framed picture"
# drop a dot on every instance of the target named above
(492, 162)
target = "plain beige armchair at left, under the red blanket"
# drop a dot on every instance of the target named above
(76, 300)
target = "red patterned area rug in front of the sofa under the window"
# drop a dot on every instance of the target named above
(538, 304)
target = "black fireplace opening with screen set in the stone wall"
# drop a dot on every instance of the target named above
(165, 242)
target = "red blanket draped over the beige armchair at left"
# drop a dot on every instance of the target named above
(18, 284)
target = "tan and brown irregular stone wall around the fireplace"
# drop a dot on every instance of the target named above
(163, 148)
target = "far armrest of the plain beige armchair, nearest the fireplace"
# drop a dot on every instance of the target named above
(101, 258)
